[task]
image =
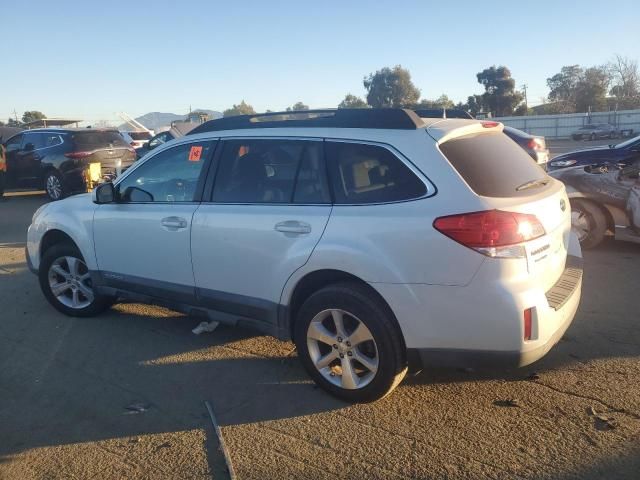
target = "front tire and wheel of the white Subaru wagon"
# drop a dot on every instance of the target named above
(56, 268)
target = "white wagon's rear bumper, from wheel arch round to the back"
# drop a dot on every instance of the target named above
(482, 324)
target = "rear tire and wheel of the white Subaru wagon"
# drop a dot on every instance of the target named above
(380, 345)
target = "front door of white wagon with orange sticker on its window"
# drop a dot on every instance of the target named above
(142, 241)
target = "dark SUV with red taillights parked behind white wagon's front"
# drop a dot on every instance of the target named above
(65, 161)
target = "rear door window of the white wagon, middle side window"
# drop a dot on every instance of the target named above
(271, 171)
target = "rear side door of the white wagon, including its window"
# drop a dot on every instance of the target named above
(268, 209)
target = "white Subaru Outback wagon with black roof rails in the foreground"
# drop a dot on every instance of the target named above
(372, 238)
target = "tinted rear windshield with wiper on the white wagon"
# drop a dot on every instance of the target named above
(494, 166)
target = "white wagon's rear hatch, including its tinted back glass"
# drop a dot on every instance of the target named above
(504, 177)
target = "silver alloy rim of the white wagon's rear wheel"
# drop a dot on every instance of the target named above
(342, 349)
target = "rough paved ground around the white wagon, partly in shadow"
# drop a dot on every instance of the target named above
(65, 385)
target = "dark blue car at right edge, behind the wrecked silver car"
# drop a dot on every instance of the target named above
(623, 153)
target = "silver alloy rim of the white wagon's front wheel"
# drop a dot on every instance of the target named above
(70, 282)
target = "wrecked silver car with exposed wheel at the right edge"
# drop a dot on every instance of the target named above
(605, 199)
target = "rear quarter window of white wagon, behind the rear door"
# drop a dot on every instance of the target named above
(363, 173)
